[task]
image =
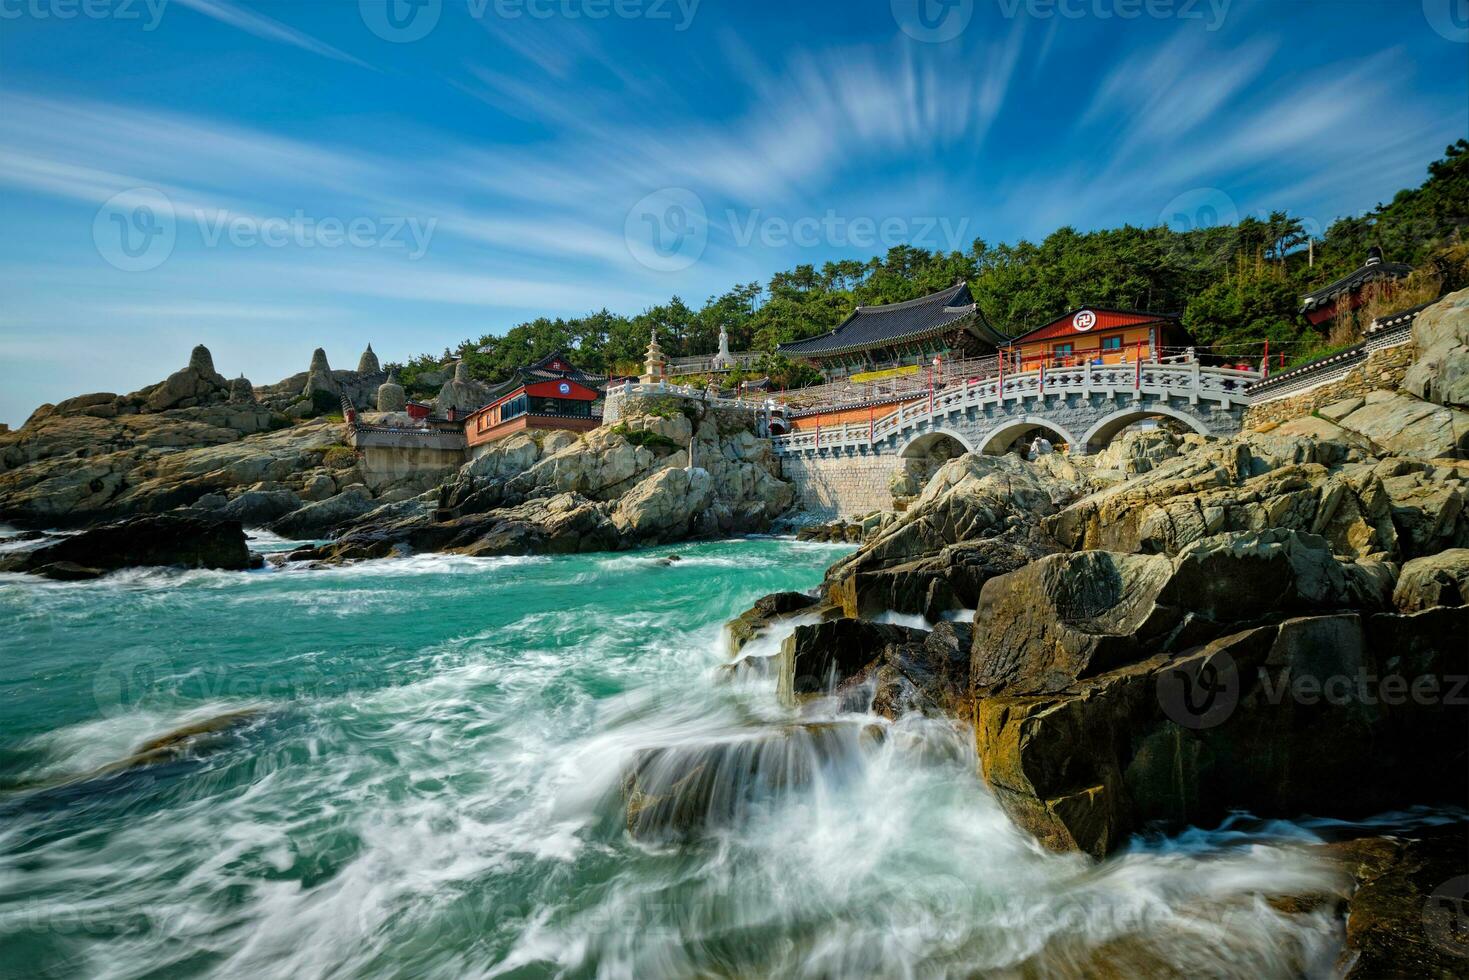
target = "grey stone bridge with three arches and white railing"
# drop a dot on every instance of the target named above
(847, 468)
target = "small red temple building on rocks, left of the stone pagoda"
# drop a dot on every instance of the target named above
(550, 394)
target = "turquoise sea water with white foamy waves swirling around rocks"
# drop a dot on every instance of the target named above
(433, 788)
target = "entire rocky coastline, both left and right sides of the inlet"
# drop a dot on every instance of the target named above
(1155, 638)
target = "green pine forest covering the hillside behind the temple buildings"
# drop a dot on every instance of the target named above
(1236, 286)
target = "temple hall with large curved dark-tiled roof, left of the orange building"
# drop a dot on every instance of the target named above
(945, 324)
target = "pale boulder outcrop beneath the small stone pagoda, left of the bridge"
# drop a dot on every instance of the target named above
(615, 489)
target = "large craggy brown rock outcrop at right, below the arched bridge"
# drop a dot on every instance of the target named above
(1185, 628)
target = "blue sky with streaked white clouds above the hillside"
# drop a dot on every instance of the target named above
(274, 177)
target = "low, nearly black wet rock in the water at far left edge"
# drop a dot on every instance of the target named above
(161, 540)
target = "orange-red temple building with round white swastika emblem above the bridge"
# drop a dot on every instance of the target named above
(1101, 337)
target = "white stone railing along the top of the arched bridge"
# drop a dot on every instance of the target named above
(1191, 380)
